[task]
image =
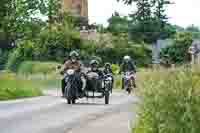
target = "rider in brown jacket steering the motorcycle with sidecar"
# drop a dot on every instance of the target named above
(72, 63)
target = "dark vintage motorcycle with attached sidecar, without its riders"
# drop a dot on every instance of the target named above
(96, 86)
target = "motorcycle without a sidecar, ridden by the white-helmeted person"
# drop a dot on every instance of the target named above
(129, 81)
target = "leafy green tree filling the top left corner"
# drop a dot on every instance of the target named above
(16, 15)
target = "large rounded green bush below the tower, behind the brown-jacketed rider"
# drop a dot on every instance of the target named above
(51, 45)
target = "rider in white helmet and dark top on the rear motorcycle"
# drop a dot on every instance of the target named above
(127, 65)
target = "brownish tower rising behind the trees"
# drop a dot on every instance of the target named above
(76, 7)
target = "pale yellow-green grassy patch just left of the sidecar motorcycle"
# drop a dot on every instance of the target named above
(44, 74)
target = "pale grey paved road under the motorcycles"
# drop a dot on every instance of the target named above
(51, 114)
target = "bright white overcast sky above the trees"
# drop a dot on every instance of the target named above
(183, 12)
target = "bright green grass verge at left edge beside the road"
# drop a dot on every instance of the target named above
(12, 87)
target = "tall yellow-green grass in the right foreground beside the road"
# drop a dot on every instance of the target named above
(169, 102)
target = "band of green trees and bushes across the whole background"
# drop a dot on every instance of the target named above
(42, 32)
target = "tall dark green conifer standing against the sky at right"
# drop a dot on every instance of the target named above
(149, 13)
